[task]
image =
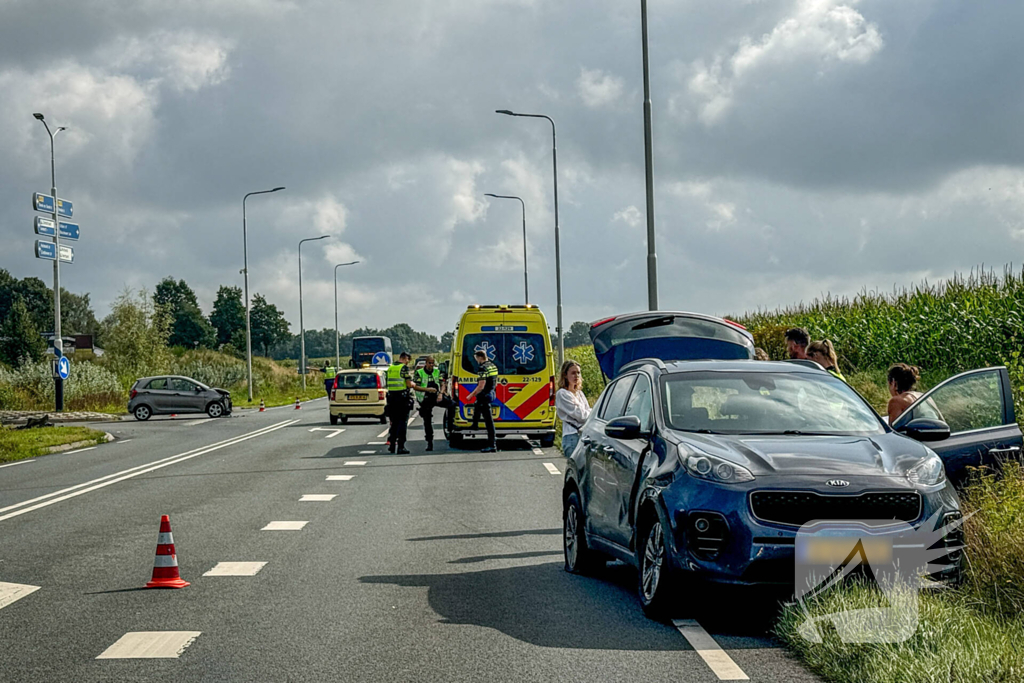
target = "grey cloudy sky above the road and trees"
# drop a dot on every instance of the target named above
(802, 147)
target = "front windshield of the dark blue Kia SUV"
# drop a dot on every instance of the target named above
(736, 403)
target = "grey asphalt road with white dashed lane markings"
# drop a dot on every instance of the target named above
(443, 567)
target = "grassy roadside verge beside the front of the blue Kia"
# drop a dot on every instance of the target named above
(971, 633)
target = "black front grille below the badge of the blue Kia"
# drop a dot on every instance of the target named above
(798, 508)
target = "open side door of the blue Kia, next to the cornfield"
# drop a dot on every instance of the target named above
(978, 406)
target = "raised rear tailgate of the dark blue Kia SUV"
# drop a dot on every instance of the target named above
(667, 336)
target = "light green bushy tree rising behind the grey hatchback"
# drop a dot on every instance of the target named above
(136, 336)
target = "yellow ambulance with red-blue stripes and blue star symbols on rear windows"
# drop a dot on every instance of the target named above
(516, 338)
